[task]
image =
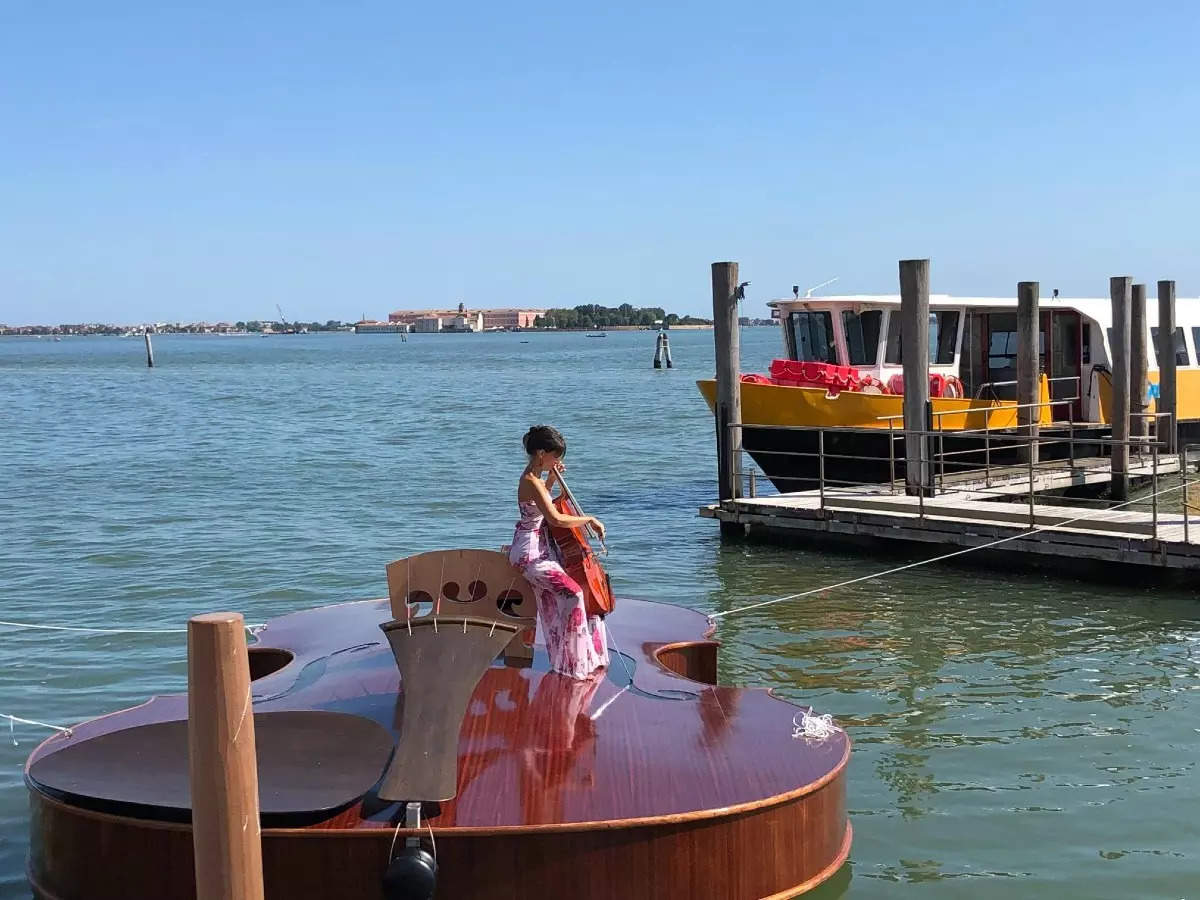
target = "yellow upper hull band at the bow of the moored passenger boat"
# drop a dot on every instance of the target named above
(814, 407)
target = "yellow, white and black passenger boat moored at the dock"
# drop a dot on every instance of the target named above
(843, 370)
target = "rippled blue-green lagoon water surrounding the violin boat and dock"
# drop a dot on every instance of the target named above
(1016, 736)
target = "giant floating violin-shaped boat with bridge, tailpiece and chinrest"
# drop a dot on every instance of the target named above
(433, 715)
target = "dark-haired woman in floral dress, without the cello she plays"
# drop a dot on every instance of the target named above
(577, 643)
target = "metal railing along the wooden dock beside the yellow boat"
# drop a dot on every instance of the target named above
(979, 475)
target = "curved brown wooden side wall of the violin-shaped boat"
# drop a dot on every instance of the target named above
(772, 853)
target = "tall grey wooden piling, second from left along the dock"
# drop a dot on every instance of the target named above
(915, 356)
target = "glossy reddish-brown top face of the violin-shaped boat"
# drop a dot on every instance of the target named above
(530, 752)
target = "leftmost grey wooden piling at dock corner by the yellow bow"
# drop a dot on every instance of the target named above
(729, 387)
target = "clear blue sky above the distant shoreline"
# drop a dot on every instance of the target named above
(211, 161)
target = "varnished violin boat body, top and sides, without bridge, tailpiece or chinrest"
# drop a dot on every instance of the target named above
(662, 787)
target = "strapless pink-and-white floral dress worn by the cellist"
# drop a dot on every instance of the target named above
(577, 643)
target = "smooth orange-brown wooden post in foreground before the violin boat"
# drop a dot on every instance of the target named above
(226, 836)
